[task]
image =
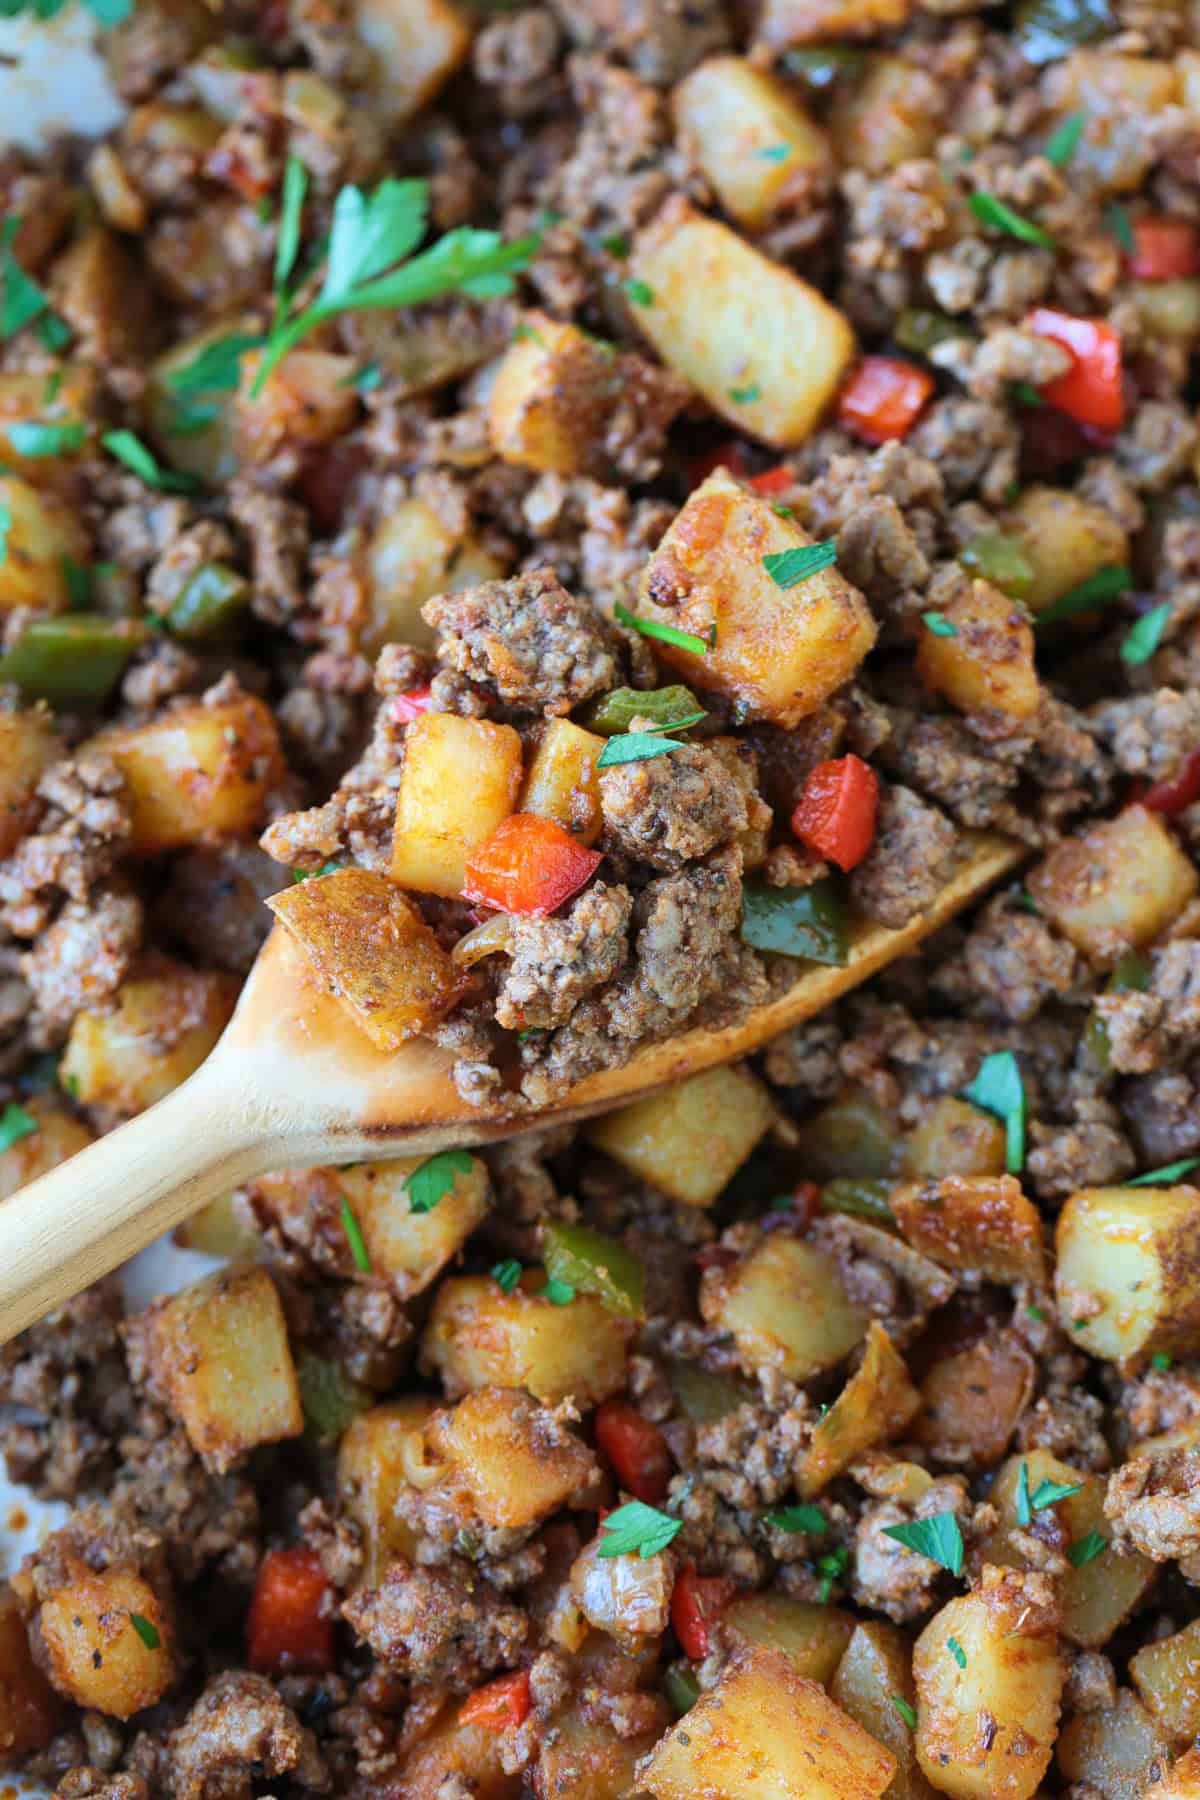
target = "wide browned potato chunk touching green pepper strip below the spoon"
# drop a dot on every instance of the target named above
(483, 1338)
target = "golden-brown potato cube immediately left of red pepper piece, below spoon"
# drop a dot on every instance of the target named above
(515, 1459)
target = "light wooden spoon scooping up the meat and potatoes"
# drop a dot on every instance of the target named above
(294, 1083)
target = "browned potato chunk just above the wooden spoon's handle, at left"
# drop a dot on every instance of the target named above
(150, 1038)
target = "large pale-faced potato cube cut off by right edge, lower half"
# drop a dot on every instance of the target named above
(1129, 1272)
